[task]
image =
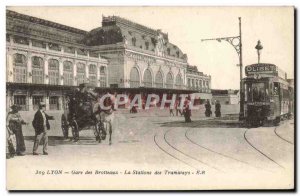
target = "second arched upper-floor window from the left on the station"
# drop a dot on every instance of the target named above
(37, 70)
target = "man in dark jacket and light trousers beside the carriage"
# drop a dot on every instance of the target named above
(41, 126)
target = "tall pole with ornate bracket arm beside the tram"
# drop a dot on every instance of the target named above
(236, 42)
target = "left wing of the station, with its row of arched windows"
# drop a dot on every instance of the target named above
(40, 52)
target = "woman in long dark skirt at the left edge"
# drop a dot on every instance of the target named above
(14, 124)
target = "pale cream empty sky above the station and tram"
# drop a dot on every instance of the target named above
(186, 26)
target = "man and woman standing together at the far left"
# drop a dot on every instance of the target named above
(14, 124)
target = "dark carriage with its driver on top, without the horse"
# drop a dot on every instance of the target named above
(79, 114)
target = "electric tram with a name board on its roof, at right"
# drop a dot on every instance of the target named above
(268, 94)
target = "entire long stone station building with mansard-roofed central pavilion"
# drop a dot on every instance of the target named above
(45, 59)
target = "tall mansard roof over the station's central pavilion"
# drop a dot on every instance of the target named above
(116, 29)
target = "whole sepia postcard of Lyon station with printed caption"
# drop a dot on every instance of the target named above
(150, 98)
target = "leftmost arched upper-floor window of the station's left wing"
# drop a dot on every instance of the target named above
(20, 68)
